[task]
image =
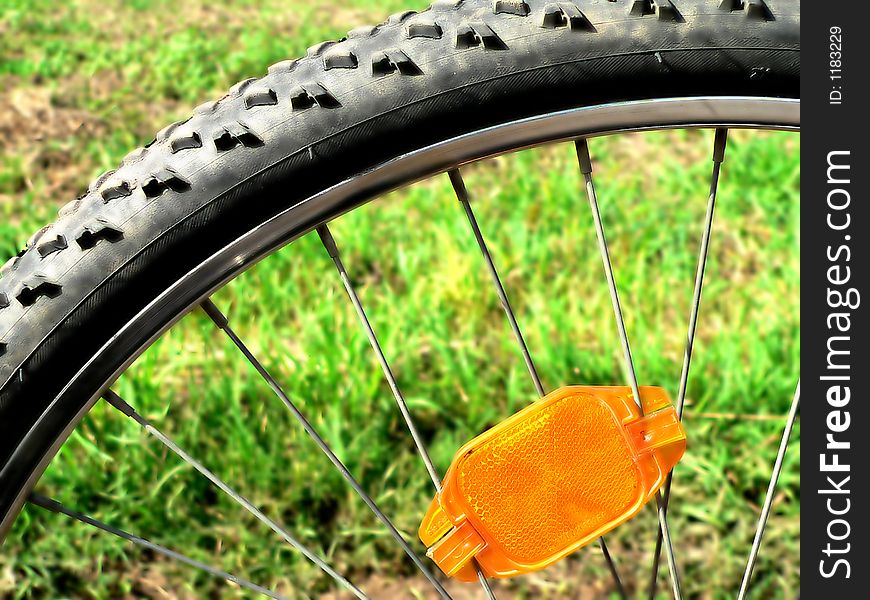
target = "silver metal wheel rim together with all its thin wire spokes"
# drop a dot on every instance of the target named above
(194, 289)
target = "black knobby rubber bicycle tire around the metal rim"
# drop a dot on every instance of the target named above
(347, 107)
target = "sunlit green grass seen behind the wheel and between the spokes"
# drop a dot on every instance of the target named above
(125, 71)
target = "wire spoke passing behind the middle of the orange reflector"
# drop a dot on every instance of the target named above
(463, 197)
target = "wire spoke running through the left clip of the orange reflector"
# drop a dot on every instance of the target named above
(332, 249)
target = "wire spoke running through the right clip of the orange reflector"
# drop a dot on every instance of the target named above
(586, 168)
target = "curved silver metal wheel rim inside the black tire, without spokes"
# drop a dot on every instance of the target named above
(228, 263)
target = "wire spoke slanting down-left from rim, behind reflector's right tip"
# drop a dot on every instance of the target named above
(719, 143)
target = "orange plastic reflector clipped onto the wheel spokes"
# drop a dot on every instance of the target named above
(550, 479)
